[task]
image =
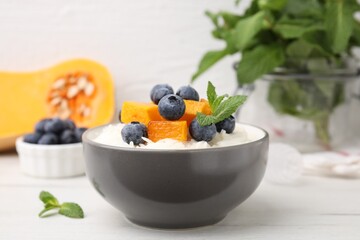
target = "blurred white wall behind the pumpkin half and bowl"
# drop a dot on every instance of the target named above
(141, 42)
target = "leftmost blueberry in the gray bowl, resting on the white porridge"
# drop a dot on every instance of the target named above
(134, 132)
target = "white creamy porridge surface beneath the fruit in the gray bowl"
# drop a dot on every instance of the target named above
(111, 135)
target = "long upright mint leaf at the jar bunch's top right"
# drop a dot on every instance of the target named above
(339, 24)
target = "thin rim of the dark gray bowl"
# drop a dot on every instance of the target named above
(87, 140)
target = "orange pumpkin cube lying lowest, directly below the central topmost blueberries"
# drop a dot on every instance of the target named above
(176, 130)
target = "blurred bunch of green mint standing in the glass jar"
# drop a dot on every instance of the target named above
(307, 37)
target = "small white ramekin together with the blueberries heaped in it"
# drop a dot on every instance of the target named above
(53, 150)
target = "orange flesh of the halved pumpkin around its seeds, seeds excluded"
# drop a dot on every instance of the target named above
(24, 97)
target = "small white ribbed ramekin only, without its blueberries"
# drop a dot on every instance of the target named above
(51, 161)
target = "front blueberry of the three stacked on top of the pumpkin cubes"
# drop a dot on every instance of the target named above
(171, 107)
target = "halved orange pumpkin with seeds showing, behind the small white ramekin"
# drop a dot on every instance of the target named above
(80, 89)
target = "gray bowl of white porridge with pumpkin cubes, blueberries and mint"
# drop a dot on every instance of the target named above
(177, 162)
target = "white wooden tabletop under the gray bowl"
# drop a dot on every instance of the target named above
(315, 208)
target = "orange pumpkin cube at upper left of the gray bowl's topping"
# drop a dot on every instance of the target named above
(140, 112)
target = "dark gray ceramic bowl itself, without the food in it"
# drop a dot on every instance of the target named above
(175, 188)
